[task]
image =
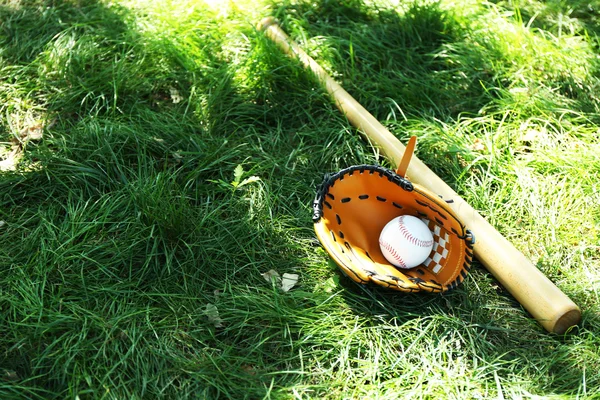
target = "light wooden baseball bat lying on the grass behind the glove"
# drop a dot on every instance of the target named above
(538, 295)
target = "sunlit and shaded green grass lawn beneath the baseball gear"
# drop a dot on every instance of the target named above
(124, 123)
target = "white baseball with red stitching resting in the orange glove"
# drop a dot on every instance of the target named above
(406, 241)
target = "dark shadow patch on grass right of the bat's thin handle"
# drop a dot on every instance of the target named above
(403, 52)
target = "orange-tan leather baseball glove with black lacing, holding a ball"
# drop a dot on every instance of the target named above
(353, 205)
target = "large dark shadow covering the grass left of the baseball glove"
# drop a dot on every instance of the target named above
(123, 239)
